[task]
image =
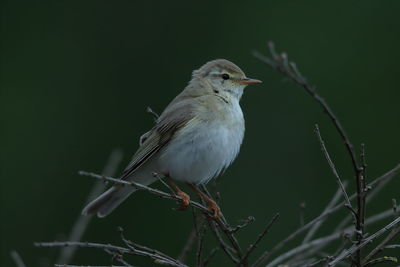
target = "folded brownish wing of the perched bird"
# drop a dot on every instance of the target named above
(172, 119)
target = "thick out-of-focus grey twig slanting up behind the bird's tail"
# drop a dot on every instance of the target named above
(82, 222)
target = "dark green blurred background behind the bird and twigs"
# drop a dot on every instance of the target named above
(77, 76)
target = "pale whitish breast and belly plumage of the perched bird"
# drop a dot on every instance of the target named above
(203, 149)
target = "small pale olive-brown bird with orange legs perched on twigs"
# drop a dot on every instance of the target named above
(196, 137)
